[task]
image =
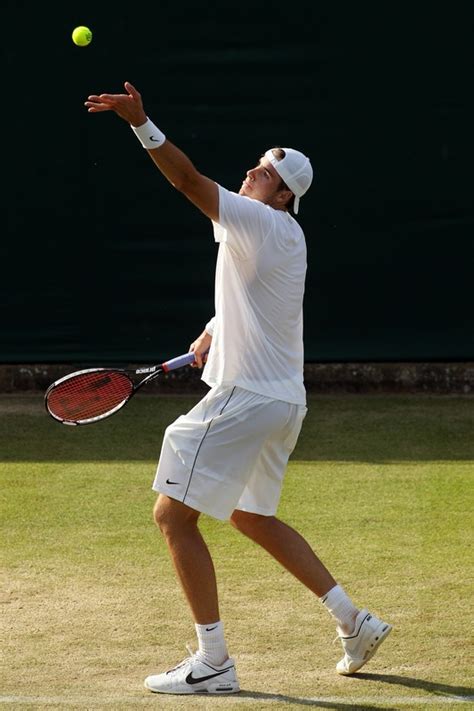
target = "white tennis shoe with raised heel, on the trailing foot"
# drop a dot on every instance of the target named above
(361, 645)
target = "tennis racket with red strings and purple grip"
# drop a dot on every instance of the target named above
(87, 396)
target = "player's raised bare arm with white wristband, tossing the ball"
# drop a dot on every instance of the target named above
(177, 168)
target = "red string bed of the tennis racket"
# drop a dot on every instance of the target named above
(89, 395)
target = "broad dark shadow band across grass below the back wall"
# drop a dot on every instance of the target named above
(351, 429)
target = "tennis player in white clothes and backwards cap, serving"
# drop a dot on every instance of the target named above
(228, 455)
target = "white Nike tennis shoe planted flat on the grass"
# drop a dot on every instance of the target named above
(195, 676)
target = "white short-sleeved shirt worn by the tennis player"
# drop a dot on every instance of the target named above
(257, 333)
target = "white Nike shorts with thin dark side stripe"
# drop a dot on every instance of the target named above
(229, 452)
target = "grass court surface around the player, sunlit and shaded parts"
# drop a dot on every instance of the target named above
(380, 486)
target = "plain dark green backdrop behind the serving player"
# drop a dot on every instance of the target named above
(104, 262)
